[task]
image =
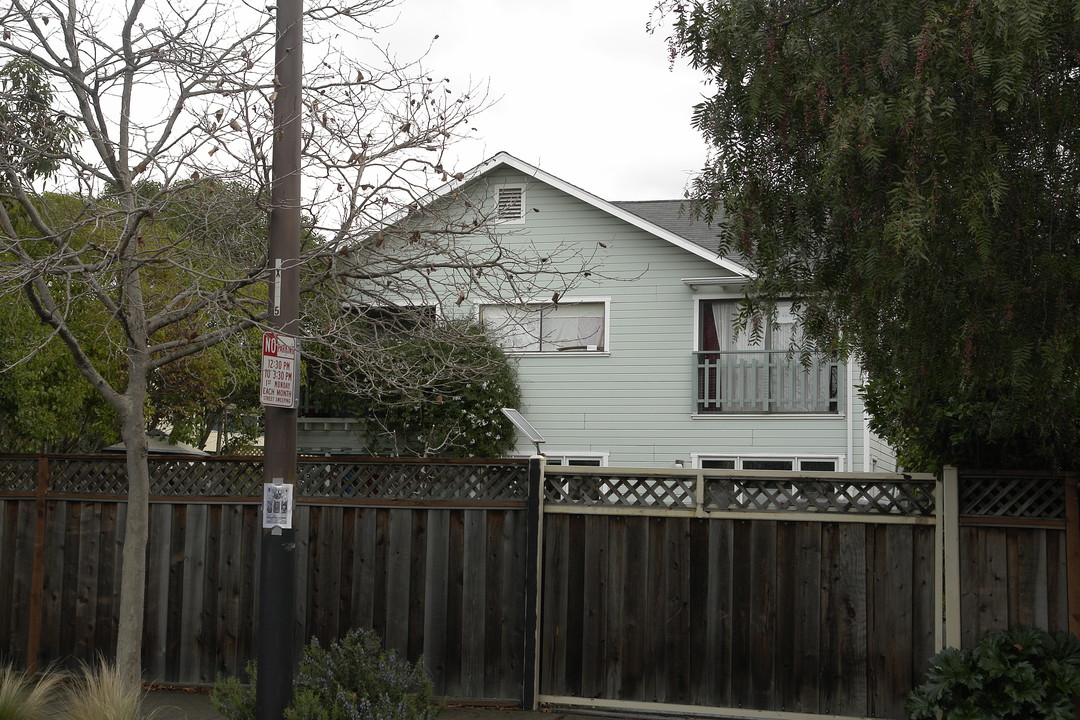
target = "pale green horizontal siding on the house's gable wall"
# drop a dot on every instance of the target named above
(634, 402)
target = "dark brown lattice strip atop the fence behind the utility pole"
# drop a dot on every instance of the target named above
(369, 479)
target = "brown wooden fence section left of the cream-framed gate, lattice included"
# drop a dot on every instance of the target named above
(410, 550)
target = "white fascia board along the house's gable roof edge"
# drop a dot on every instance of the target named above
(626, 216)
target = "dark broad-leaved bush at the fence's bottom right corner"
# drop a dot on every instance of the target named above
(1020, 674)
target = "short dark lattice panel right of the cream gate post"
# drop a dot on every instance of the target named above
(1021, 496)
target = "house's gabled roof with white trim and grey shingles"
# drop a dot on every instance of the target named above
(660, 219)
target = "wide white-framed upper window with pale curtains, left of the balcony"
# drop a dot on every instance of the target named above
(569, 327)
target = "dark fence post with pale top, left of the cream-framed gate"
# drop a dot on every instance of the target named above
(534, 559)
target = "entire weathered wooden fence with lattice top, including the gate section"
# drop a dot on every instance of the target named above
(707, 592)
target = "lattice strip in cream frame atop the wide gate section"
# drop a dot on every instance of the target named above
(732, 492)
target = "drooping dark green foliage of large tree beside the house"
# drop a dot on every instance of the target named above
(909, 172)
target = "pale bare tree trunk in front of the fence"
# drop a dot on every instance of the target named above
(137, 533)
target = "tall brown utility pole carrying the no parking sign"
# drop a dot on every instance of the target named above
(277, 569)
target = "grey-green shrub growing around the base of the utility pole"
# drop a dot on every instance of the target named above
(350, 680)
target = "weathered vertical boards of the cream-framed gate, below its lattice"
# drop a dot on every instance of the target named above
(762, 616)
